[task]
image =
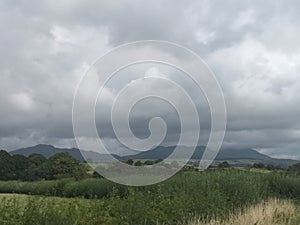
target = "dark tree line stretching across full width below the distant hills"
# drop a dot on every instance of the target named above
(62, 165)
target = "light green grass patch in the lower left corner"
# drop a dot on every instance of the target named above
(35, 210)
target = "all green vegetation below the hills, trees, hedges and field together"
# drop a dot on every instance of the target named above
(210, 196)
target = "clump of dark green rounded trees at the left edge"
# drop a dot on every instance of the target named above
(37, 167)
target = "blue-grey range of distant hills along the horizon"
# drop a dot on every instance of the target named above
(236, 157)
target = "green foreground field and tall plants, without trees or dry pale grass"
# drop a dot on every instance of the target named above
(212, 195)
